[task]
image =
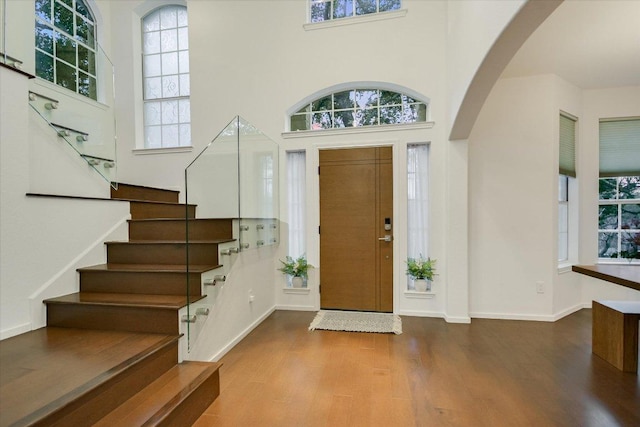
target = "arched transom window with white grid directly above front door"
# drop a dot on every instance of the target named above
(359, 107)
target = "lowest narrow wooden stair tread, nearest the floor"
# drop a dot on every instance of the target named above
(156, 400)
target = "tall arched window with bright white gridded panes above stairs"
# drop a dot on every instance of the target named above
(165, 52)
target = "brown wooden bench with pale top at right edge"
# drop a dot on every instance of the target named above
(615, 333)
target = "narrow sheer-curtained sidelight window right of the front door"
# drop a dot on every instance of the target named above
(418, 200)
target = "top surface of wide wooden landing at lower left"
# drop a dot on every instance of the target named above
(46, 369)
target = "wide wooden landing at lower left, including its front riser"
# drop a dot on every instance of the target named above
(74, 377)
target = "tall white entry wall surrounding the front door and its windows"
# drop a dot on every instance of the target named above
(243, 64)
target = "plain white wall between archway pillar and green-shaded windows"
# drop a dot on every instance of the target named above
(512, 174)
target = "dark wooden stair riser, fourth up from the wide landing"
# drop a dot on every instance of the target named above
(176, 230)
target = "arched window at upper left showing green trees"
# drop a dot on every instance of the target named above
(65, 37)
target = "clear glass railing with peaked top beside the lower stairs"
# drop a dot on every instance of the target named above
(234, 180)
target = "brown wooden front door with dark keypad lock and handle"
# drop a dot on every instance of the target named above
(356, 201)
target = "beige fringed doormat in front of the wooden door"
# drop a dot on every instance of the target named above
(357, 321)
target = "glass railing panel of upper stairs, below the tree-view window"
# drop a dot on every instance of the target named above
(86, 122)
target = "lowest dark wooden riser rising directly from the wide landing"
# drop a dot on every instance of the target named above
(115, 318)
